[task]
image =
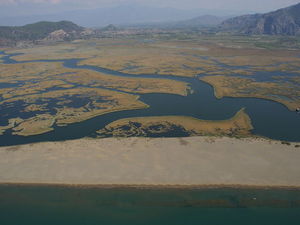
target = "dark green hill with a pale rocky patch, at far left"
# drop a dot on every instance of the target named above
(63, 30)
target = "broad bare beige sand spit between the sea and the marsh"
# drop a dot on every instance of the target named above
(195, 161)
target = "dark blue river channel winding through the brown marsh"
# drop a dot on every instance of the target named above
(269, 119)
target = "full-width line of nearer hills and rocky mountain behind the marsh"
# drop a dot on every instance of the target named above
(284, 21)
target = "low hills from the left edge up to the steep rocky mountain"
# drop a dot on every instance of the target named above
(46, 31)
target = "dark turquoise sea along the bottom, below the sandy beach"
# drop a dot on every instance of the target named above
(64, 205)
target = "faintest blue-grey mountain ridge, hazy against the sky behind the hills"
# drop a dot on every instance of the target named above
(119, 15)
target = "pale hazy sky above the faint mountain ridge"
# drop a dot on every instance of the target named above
(19, 7)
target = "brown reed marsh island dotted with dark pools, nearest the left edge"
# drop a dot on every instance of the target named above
(100, 101)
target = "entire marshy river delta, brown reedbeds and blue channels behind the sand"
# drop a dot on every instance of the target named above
(181, 88)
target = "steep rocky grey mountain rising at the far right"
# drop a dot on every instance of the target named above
(284, 21)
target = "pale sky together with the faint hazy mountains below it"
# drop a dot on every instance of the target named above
(102, 12)
